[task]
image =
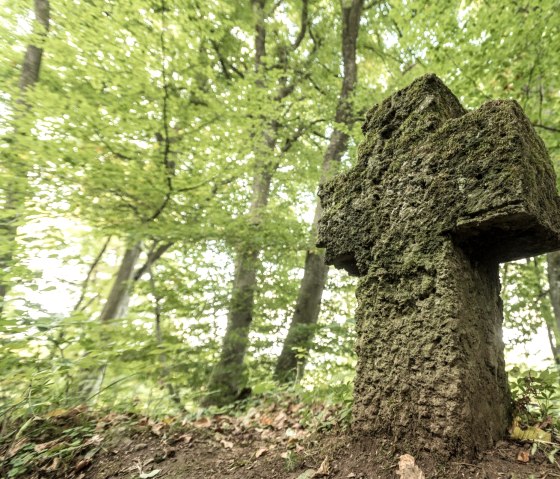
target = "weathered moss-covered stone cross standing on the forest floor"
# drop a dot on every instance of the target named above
(438, 198)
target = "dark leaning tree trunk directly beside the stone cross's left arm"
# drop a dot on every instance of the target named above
(308, 303)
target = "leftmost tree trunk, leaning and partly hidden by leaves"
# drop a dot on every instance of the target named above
(14, 194)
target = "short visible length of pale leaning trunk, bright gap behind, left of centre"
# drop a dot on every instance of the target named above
(117, 301)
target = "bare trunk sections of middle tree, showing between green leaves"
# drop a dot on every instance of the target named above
(228, 378)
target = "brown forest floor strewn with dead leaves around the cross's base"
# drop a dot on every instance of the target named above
(288, 441)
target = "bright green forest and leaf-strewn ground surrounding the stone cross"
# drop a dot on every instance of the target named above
(165, 309)
